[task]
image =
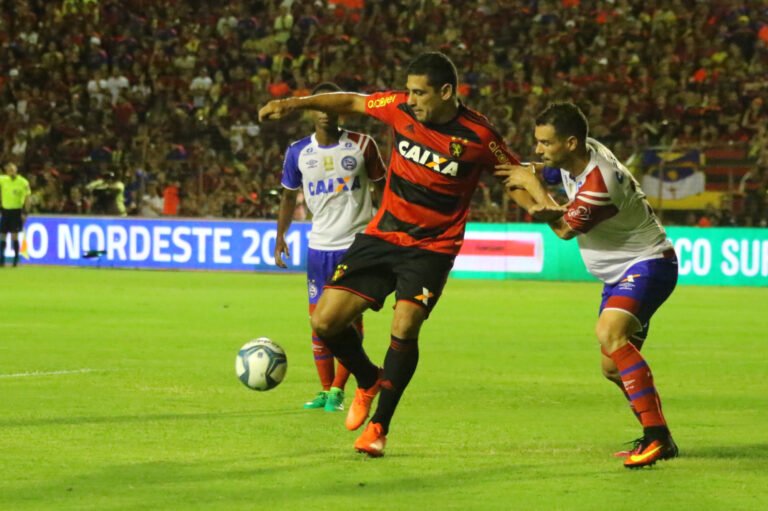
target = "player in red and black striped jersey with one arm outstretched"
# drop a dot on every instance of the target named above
(441, 148)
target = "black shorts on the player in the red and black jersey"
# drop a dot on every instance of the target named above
(373, 268)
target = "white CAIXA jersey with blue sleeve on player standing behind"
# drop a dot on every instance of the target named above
(335, 180)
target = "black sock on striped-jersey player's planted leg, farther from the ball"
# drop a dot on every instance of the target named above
(399, 366)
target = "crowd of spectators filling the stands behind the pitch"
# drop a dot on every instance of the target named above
(164, 93)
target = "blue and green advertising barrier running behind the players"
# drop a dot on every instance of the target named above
(713, 256)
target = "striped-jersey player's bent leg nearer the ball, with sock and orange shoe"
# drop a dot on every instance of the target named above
(333, 322)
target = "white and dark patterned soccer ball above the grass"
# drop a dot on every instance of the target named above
(261, 364)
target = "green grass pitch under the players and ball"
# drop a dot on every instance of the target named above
(507, 409)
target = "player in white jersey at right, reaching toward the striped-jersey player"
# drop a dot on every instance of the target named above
(622, 243)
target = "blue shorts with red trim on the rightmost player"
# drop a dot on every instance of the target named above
(642, 289)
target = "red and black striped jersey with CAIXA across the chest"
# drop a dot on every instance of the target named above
(433, 172)
